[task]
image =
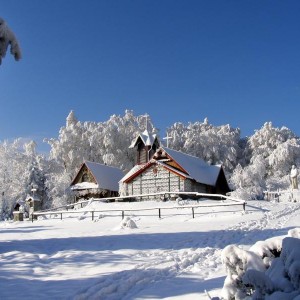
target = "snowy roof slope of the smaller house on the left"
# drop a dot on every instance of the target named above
(106, 177)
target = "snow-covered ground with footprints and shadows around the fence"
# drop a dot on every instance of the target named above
(174, 257)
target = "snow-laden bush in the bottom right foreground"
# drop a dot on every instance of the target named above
(268, 270)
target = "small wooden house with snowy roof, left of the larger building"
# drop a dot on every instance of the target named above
(94, 180)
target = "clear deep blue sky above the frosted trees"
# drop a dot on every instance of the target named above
(234, 62)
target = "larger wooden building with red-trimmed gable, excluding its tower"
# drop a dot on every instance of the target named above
(173, 171)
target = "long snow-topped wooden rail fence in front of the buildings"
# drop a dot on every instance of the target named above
(233, 202)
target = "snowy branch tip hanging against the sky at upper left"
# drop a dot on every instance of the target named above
(8, 38)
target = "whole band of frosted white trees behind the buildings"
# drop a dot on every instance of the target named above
(252, 165)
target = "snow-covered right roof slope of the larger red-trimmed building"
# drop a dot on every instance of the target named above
(196, 167)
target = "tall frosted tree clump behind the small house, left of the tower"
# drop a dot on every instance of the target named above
(103, 142)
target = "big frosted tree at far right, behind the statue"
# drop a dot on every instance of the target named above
(268, 157)
